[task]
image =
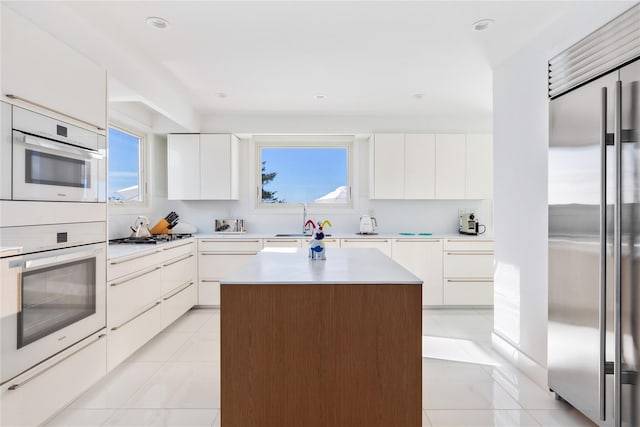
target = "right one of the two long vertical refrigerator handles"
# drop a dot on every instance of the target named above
(617, 258)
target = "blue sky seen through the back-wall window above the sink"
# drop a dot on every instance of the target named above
(305, 174)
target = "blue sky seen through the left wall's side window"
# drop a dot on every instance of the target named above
(123, 161)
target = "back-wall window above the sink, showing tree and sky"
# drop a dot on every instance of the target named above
(308, 171)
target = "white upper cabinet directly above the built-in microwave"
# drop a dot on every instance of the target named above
(41, 69)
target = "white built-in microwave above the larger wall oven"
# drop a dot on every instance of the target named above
(51, 160)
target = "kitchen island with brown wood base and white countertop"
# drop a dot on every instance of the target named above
(321, 343)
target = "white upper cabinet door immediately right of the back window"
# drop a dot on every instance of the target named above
(388, 163)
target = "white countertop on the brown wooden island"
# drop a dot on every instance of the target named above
(282, 266)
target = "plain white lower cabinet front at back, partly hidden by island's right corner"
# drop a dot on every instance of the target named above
(423, 258)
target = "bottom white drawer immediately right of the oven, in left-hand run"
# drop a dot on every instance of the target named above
(127, 337)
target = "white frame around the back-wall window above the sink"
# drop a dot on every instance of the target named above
(302, 141)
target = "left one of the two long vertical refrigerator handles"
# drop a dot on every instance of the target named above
(602, 374)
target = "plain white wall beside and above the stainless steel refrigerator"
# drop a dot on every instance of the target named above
(520, 122)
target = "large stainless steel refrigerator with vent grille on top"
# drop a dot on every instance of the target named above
(594, 223)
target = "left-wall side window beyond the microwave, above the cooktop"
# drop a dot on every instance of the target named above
(126, 161)
